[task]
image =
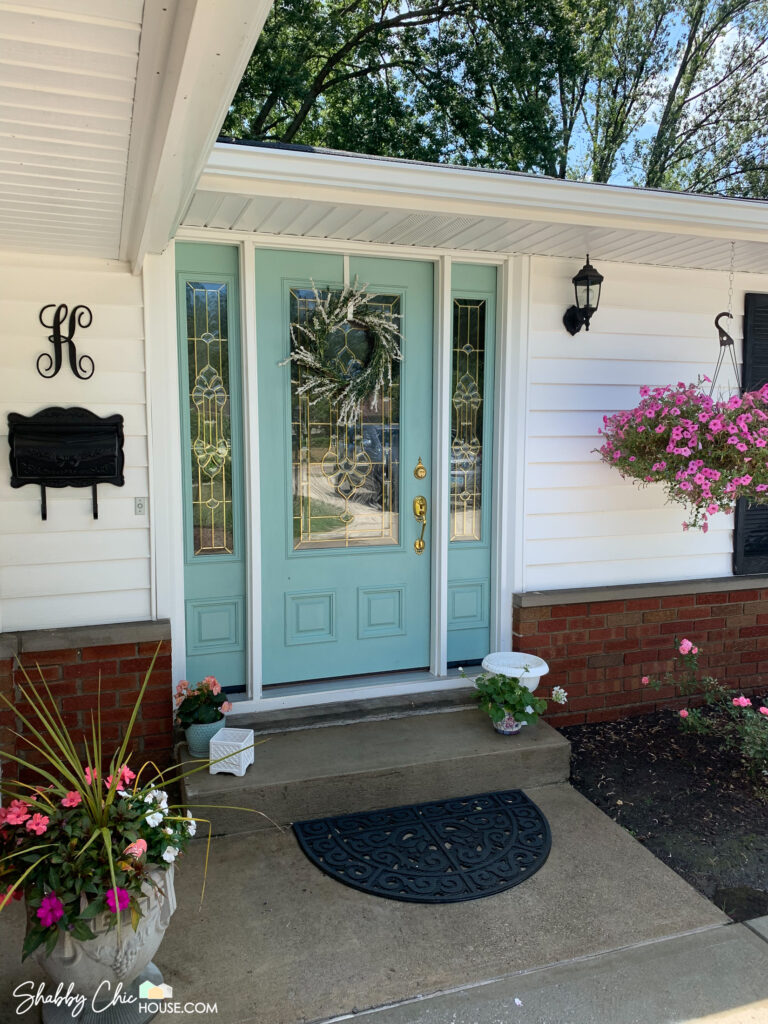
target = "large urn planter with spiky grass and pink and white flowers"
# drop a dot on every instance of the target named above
(92, 846)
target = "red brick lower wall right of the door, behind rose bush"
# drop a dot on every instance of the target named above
(599, 651)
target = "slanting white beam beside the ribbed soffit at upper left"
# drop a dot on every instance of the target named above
(192, 58)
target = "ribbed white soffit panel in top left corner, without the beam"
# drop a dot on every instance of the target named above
(68, 74)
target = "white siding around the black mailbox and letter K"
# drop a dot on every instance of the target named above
(72, 570)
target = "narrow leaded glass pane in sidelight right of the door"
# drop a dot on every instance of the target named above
(466, 419)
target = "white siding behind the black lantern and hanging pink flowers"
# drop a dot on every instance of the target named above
(584, 526)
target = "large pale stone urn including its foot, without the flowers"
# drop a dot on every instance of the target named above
(96, 968)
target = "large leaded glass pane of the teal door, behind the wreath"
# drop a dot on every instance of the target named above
(346, 478)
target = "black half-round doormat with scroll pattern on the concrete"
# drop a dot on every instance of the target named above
(444, 852)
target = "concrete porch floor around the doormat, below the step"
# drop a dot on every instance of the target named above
(279, 943)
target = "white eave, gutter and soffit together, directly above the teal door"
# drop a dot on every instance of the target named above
(328, 196)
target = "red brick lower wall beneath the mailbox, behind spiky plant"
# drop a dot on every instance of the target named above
(73, 677)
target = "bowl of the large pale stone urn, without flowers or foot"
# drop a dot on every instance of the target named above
(87, 965)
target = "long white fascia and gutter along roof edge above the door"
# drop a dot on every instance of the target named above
(445, 189)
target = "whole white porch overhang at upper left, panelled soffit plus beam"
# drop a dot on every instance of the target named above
(108, 112)
